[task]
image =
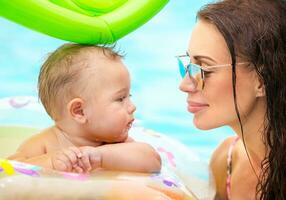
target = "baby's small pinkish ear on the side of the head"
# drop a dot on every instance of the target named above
(75, 110)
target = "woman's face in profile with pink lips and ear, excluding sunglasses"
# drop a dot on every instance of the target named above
(213, 106)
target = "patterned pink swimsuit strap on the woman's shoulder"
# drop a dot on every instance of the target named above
(229, 167)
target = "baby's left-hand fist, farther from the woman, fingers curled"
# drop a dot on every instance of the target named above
(68, 160)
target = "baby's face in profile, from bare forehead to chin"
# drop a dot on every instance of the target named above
(109, 110)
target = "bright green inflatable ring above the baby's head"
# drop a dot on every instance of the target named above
(82, 21)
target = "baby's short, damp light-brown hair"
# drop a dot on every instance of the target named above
(61, 72)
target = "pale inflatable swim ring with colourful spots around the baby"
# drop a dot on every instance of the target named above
(181, 176)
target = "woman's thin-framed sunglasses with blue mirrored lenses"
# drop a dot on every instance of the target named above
(195, 70)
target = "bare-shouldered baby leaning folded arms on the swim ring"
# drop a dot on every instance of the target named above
(86, 91)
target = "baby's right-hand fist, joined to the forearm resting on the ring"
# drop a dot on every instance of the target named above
(91, 158)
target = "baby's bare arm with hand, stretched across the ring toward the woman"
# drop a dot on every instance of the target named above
(130, 156)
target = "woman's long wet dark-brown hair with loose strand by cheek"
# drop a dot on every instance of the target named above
(256, 31)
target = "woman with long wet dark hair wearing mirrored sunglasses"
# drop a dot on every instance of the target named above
(235, 76)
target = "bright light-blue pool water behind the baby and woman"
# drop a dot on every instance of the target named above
(150, 59)
